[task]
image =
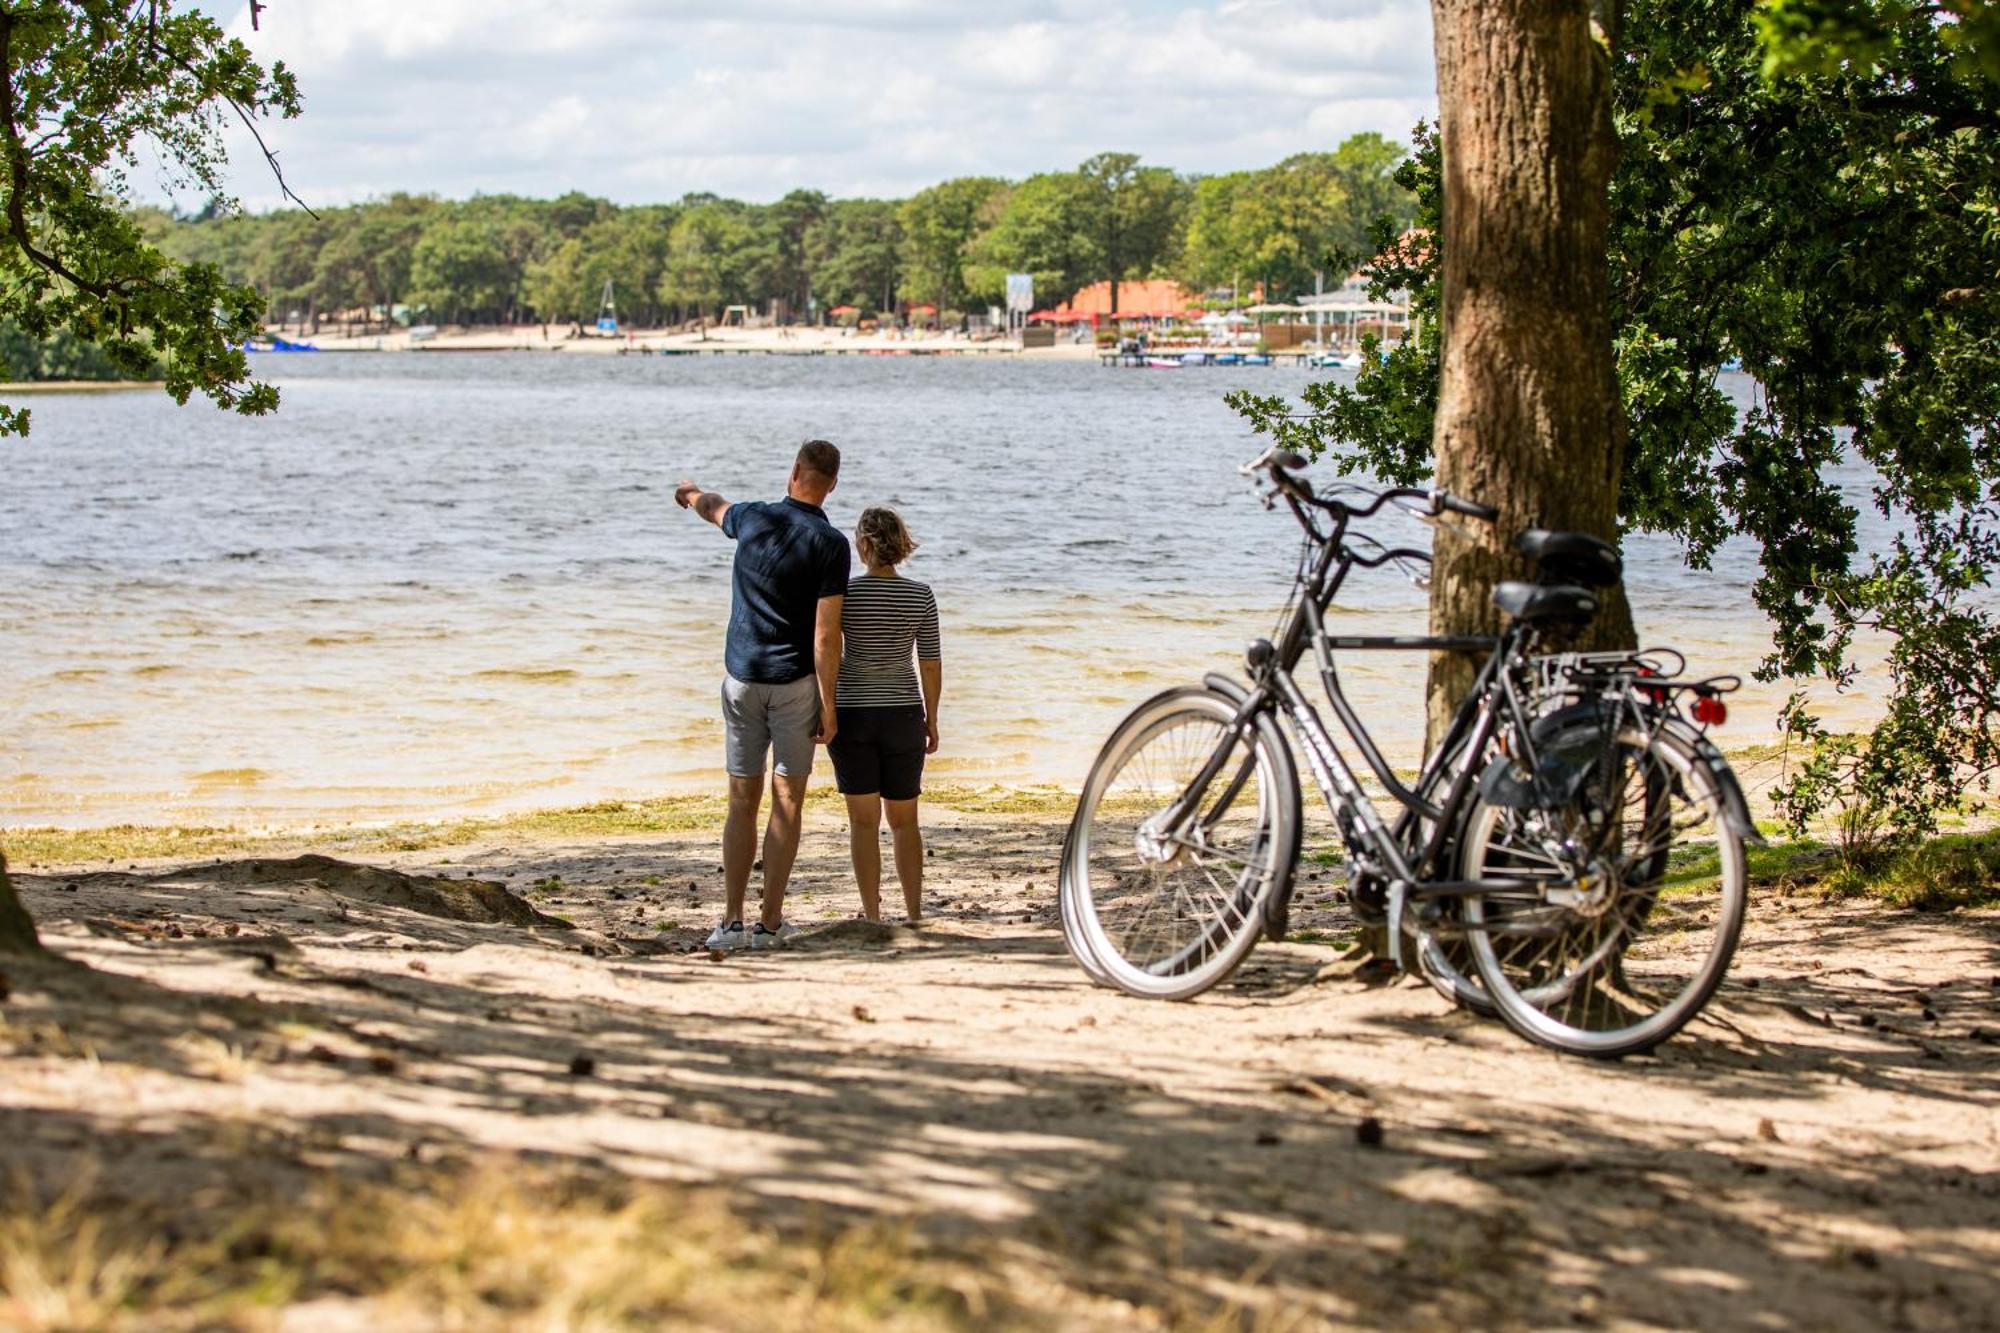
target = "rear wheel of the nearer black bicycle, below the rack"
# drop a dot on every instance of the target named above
(1613, 956)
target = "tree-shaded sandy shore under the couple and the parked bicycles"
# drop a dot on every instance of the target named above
(1305, 1148)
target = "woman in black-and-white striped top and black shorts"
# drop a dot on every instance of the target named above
(887, 706)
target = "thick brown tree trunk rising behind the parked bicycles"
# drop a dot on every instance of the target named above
(1529, 415)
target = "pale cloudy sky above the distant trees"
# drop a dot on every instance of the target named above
(645, 101)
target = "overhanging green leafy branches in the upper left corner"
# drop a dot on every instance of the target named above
(89, 87)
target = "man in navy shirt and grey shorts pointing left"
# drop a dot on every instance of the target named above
(783, 663)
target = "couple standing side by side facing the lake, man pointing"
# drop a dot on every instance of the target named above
(821, 659)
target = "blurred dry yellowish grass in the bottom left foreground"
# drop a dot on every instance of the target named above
(499, 1246)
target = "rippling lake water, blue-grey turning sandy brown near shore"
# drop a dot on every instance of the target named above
(461, 583)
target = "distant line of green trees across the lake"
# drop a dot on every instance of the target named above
(507, 259)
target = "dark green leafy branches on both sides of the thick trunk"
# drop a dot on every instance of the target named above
(1837, 231)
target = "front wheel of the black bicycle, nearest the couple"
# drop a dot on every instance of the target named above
(1165, 880)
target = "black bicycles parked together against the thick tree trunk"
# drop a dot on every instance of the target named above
(1571, 856)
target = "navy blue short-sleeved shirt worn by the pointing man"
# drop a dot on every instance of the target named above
(787, 559)
